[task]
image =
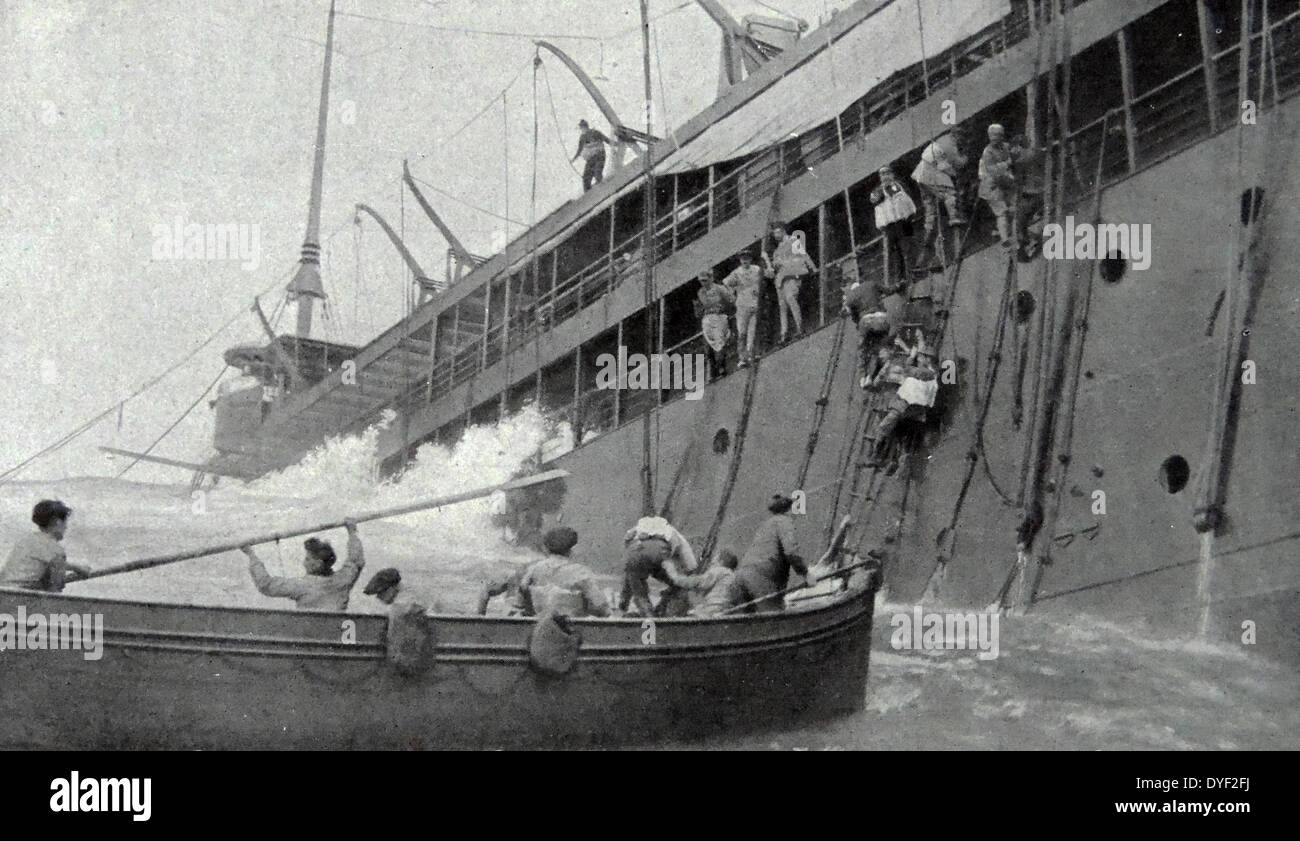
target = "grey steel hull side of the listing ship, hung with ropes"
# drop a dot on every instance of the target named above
(1150, 374)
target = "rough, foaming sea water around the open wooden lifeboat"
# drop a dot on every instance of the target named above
(1061, 679)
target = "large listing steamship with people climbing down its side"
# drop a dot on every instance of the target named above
(1115, 432)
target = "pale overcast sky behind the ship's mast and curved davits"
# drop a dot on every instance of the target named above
(122, 120)
